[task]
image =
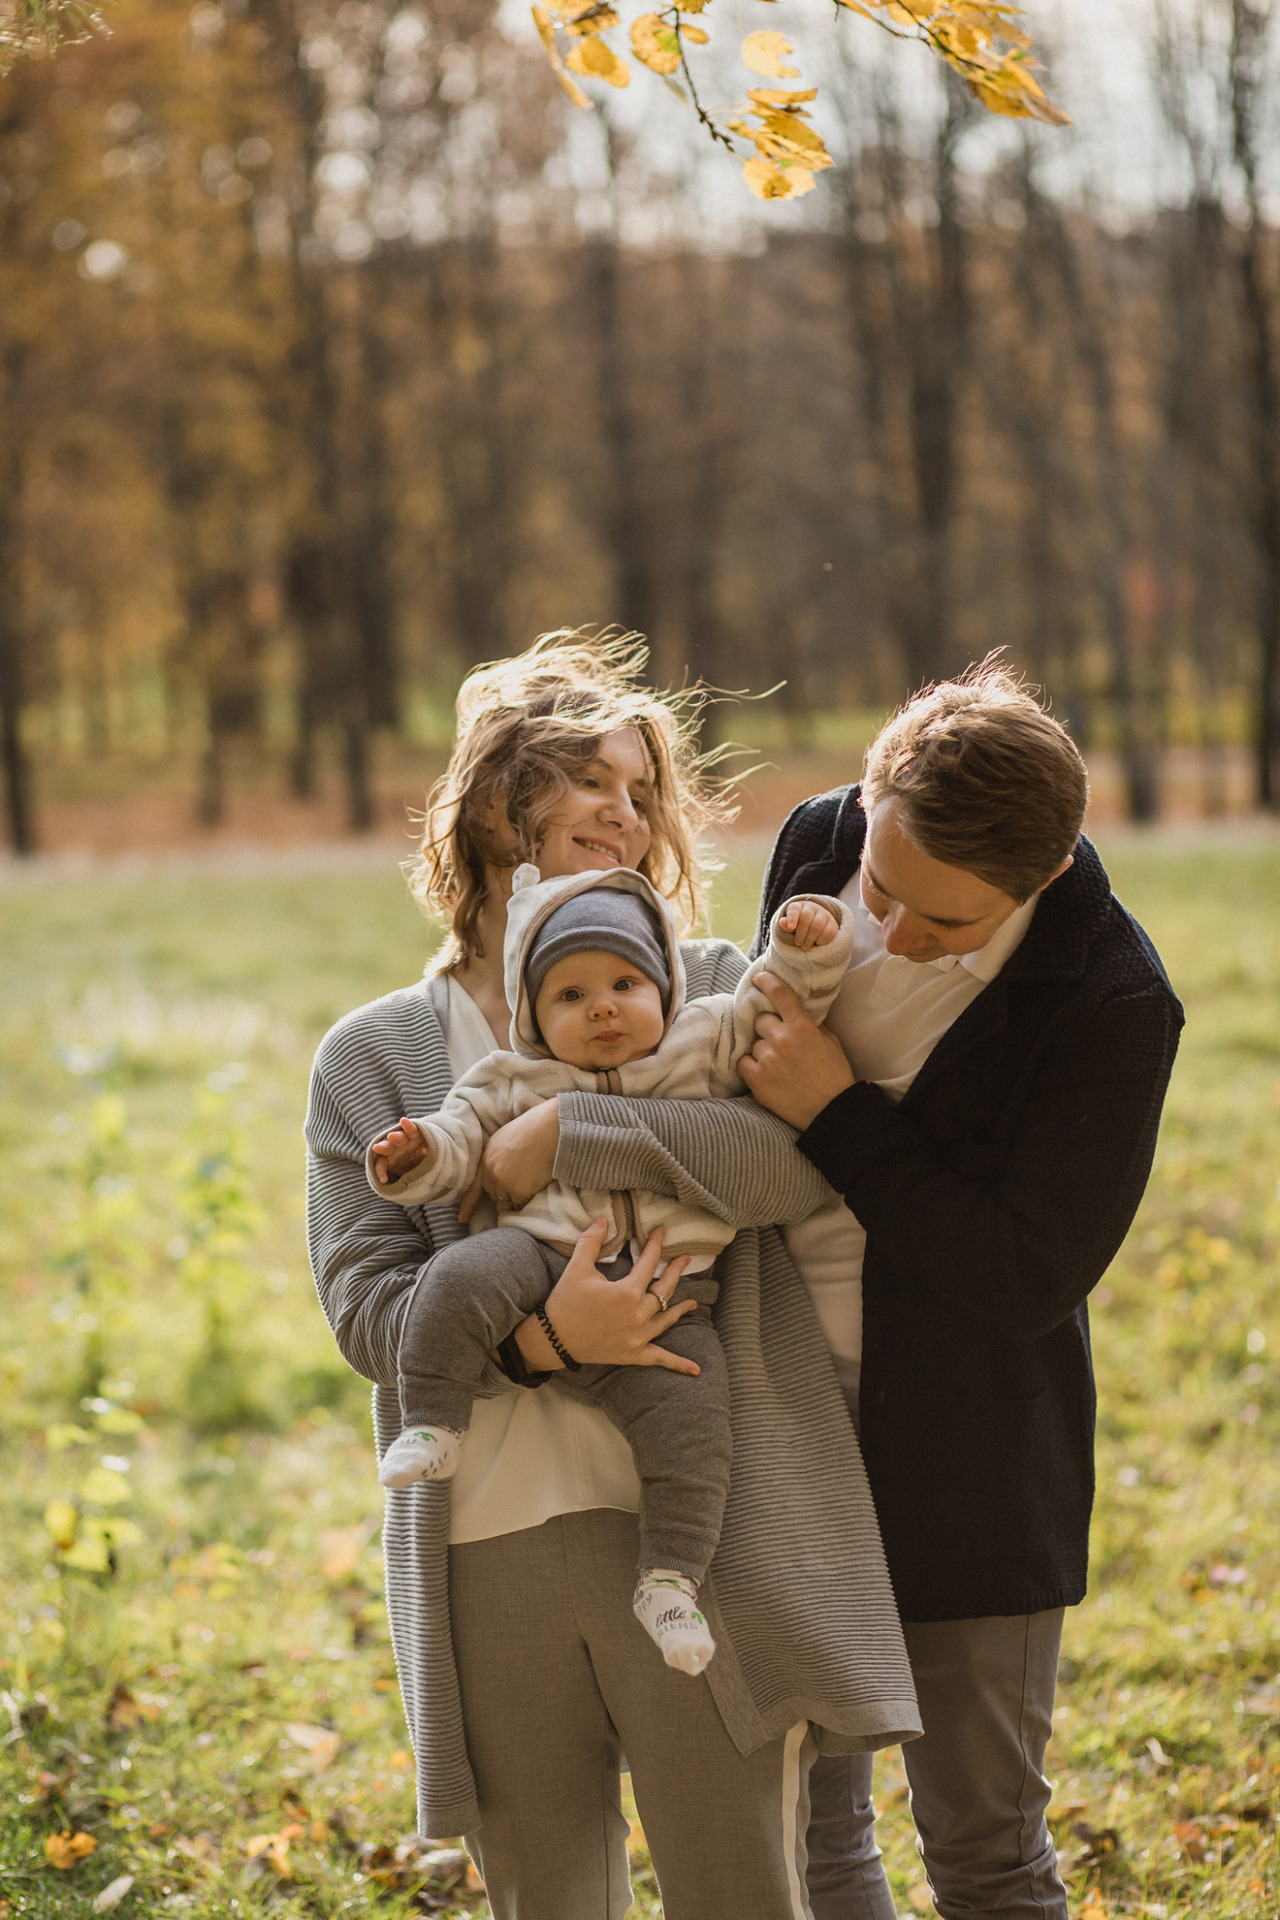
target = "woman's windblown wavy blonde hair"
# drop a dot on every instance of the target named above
(527, 731)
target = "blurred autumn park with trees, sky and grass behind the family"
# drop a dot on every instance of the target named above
(337, 356)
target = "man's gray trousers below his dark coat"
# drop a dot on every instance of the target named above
(978, 1783)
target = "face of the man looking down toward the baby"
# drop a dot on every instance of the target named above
(924, 907)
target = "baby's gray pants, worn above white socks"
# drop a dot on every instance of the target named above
(477, 1291)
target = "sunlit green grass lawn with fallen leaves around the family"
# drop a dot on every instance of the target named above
(225, 1679)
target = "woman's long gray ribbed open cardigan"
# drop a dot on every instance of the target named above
(799, 1595)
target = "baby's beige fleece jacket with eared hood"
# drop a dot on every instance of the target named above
(696, 1061)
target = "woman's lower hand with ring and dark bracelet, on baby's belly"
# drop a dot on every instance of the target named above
(611, 1324)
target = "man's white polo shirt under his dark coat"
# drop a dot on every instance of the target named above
(888, 1017)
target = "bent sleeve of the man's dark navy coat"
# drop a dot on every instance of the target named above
(1012, 1237)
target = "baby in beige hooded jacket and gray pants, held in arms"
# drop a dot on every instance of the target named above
(596, 980)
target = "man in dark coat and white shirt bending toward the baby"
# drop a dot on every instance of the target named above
(985, 1097)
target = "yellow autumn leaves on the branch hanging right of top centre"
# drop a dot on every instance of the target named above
(984, 41)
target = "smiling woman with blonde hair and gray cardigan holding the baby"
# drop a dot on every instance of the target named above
(521, 1698)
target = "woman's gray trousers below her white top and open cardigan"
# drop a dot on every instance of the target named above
(559, 1679)
